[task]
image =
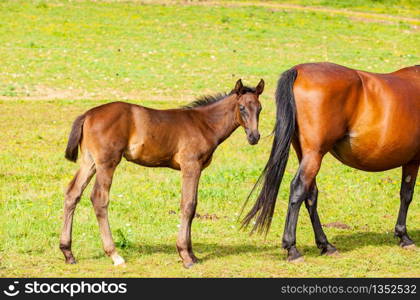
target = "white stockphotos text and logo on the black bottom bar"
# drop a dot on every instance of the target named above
(70, 289)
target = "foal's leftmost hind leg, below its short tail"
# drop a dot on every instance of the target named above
(72, 197)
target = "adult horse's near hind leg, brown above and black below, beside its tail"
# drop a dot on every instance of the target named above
(299, 191)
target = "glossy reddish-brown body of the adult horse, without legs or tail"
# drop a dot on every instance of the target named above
(368, 121)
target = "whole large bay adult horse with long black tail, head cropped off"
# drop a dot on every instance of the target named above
(367, 121)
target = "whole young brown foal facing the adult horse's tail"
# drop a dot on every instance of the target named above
(182, 139)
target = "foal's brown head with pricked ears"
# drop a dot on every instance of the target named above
(248, 109)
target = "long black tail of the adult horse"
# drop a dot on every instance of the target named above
(273, 172)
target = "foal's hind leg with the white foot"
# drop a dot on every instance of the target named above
(100, 201)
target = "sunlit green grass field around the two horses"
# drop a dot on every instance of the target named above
(59, 58)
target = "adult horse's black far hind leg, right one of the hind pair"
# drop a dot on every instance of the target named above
(321, 239)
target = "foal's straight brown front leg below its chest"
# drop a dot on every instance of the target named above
(190, 178)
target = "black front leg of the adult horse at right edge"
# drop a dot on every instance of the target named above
(409, 175)
